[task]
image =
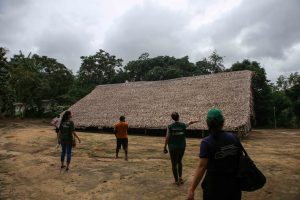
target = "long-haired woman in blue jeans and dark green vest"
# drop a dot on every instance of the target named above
(67, 135)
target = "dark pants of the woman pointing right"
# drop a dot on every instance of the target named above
(176, 160)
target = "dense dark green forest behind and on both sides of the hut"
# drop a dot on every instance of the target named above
(31, 79)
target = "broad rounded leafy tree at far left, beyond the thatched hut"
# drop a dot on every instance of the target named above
(37, 78)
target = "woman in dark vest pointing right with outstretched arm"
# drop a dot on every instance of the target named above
(176, 142)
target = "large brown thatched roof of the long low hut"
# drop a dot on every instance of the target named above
(149, 104)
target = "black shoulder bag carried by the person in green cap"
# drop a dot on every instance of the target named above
(250, 177)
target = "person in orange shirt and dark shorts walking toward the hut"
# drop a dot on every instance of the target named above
(121, 134)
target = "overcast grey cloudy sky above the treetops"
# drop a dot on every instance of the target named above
(267, 31)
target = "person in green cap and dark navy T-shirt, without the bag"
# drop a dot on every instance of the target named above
(219, 157)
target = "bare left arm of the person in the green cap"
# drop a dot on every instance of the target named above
(202, 166)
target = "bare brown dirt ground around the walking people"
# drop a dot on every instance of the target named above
(30, 165)
